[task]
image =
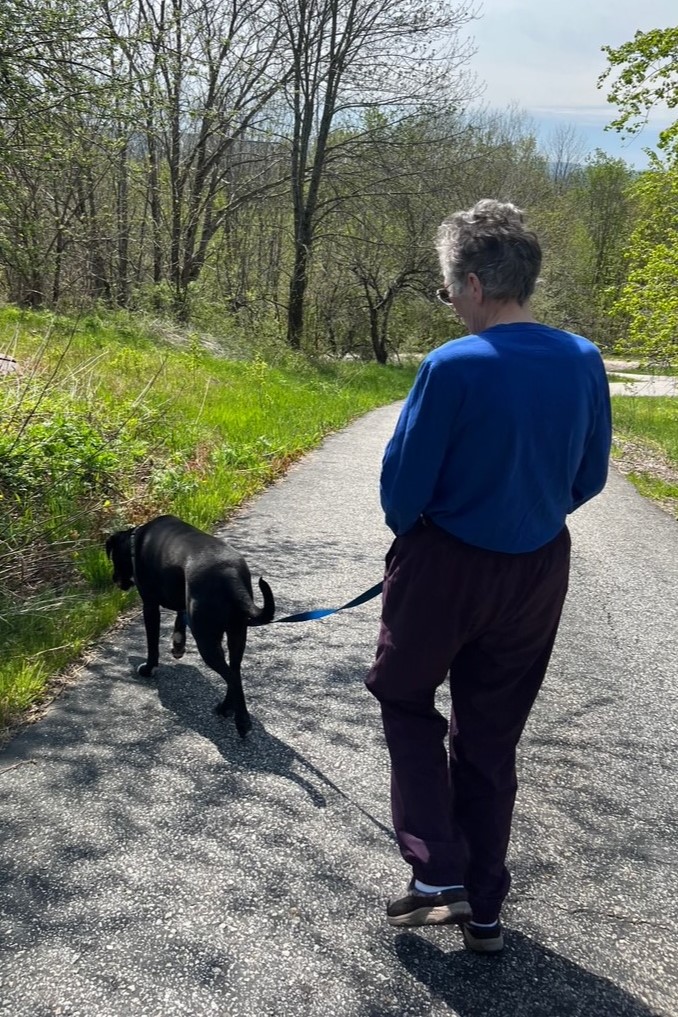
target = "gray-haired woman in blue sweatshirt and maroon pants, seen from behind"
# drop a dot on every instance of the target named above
(505, 433)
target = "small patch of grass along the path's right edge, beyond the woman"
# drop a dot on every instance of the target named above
(647, 446)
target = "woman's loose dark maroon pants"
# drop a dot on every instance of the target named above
(489, 620)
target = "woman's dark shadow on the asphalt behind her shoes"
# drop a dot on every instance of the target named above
(527, 981)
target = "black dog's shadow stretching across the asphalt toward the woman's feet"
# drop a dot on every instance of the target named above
(192, 696)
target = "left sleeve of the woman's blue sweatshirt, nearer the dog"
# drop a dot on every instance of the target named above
(415, 454)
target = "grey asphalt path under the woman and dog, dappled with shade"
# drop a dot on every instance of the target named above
(152, 865)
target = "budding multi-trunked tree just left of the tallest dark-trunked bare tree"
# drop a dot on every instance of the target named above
(205, 76)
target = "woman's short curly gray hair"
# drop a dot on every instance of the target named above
(491, 242)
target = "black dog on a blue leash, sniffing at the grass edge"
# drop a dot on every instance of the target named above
(208, 583)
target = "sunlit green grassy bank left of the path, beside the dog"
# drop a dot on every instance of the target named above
(105, 427)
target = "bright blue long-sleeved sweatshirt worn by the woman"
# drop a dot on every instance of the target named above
(503, 435)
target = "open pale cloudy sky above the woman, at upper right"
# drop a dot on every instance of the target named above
(544, 56)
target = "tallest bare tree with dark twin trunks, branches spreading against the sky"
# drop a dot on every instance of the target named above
(350, 58)
